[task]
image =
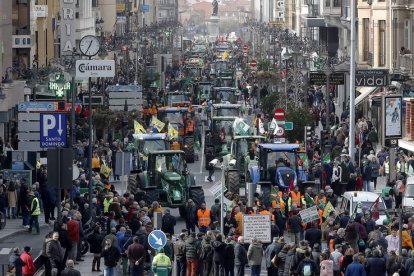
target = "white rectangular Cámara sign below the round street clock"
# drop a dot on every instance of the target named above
(95, 69)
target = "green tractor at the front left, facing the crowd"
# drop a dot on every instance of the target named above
(168, 181)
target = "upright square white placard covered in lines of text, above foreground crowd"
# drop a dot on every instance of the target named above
(257, 226)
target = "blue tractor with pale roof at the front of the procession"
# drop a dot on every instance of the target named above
(266, 173)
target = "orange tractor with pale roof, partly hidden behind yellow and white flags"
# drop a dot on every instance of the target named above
(182, 119)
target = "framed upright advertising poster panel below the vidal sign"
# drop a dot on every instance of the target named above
(392, 116)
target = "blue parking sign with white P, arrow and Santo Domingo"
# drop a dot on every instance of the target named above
(53, 130)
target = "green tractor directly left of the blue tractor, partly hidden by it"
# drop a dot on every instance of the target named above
(239, 161)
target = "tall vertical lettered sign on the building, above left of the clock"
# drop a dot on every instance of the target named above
(67, 33)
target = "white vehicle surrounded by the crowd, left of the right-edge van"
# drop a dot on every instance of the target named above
(367, 199)
